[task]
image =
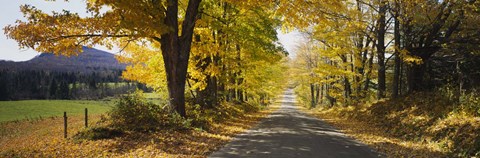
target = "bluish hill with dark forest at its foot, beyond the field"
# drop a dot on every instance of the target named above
(93, 74)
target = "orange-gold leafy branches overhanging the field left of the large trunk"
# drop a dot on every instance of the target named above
(65, 32)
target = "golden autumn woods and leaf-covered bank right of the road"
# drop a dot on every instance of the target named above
(406, 68)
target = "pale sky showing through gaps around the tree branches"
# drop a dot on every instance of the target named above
(10, 12)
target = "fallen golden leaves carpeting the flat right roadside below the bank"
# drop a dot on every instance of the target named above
(356, 122)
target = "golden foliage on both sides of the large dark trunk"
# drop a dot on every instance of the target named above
(246, 27)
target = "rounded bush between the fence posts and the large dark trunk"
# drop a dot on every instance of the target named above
(134, 112)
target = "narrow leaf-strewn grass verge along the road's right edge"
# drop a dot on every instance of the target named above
(377, 137)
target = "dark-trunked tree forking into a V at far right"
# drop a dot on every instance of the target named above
(439, 25)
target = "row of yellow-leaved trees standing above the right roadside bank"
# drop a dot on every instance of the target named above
(364, 49)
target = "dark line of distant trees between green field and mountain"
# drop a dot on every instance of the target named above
(40, 84)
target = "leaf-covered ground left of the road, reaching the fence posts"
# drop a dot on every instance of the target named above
(44, 138)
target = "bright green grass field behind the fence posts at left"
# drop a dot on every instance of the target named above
(20, 110)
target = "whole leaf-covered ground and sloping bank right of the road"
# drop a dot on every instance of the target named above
(415, 126)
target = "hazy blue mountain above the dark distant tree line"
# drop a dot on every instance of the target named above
(88, 61)
